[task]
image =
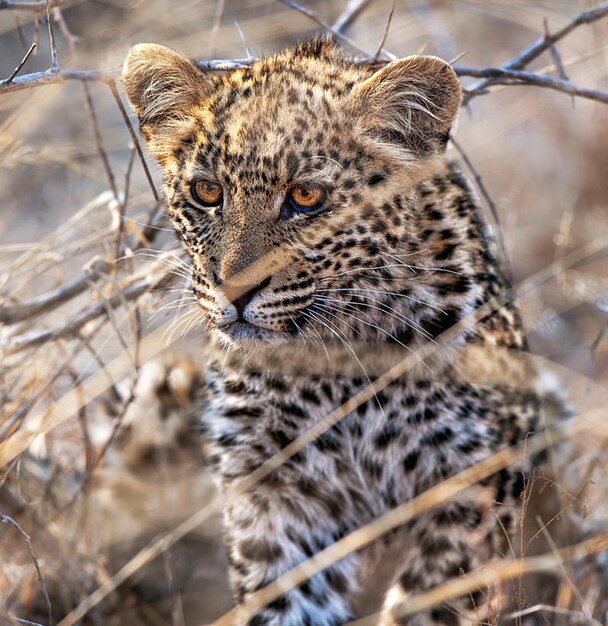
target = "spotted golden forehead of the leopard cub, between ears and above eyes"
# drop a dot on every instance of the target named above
(277, 123)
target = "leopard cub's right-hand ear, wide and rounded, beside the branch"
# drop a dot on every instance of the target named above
(412, 102)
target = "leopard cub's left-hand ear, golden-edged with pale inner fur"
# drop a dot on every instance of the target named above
(162, 85)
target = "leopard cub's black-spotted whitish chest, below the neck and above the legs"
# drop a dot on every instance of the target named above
(411, 435)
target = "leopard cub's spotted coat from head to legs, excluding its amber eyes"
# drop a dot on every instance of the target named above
(305, 310)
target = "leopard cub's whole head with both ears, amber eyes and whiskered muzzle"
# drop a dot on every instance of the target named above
(291, 184)
